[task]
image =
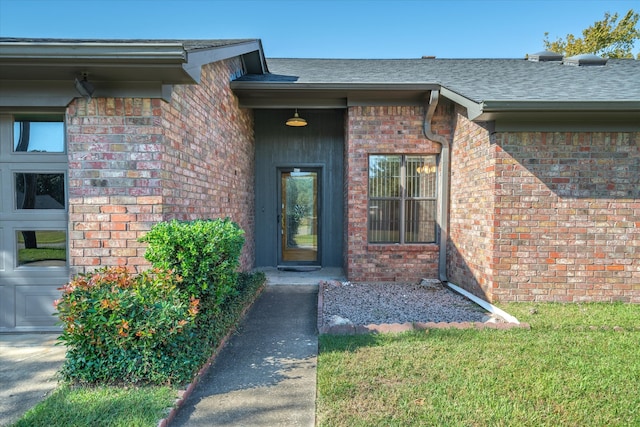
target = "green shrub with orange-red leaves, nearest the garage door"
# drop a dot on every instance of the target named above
(124, 328)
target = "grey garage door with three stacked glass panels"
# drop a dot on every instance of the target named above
(33, 219)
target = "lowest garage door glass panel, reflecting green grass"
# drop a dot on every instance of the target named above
(41, 248)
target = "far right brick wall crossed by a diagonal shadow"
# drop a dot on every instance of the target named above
(567, 217)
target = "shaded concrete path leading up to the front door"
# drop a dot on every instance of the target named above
(266, 374)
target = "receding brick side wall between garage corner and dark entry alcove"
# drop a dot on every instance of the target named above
(209, 154)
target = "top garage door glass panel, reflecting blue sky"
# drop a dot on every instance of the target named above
(38, 136)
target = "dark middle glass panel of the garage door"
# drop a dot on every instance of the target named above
(39, 191)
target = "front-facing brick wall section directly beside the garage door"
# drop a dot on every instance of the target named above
(115, 179)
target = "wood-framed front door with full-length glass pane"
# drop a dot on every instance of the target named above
(299, 197)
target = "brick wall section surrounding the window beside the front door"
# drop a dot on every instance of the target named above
(384, 130)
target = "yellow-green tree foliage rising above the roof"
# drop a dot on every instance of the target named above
(607, 38)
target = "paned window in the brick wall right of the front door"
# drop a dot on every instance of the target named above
(402, 199)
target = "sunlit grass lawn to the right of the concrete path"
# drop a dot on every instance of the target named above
(573, 368)
